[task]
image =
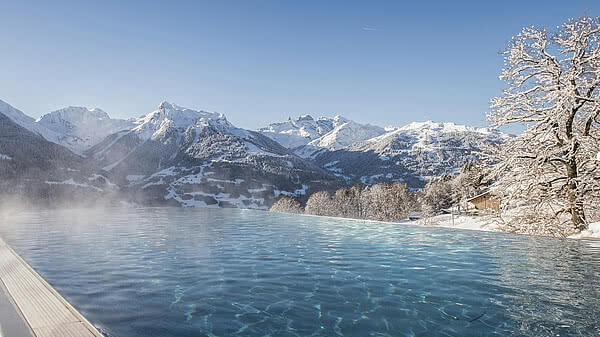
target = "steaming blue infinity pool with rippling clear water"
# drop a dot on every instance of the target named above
(223, 272)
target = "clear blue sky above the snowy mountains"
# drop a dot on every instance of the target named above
(381, 62)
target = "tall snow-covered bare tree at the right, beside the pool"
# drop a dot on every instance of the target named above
(553, 88)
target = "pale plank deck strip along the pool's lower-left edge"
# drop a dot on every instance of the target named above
(44, 311)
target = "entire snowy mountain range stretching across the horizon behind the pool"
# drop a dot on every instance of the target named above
(179, 156)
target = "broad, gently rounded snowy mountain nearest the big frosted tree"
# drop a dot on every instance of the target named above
(411, 153)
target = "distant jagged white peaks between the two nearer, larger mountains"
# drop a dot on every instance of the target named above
(325, 132)
